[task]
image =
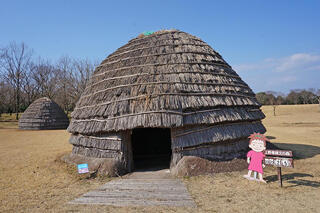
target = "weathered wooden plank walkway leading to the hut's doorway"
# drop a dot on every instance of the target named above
(139, 192)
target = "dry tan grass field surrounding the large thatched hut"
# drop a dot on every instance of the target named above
(33, 180)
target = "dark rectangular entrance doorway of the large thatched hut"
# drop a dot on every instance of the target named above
(151, 148)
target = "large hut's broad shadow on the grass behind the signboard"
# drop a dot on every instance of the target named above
(300, 151)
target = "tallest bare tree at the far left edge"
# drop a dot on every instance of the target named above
(15, 64)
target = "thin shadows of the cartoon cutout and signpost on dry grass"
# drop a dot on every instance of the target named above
(290, 179)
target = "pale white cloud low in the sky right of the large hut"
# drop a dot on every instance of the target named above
(300, 70)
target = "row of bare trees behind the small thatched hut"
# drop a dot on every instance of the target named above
(24, 78)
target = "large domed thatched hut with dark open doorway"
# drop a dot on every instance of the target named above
(164, 95)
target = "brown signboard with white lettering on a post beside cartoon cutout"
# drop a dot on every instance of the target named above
(279, 158)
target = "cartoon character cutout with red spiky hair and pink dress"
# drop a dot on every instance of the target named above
(255, 156)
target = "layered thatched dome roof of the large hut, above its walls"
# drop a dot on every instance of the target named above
(167, 79)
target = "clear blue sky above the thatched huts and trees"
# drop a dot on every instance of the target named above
(273, 45)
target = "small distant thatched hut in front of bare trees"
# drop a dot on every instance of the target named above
(42, 114)
